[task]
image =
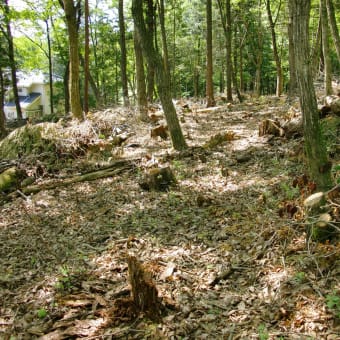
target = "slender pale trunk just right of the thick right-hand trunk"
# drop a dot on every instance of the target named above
(325, 49)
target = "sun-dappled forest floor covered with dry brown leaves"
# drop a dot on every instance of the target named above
(226, 246)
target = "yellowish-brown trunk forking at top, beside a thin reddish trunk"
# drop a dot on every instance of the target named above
(72, 25)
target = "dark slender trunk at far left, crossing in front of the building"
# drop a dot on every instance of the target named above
(12, 60)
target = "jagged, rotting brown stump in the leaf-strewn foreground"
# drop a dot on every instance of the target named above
(143, 290)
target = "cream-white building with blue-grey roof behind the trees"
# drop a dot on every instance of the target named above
(34, 96)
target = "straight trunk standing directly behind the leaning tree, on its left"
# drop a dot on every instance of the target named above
(142, 100)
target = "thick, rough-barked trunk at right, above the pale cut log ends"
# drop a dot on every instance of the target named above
(318, 164)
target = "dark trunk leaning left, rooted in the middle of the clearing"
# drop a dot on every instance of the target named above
(162, 80)
